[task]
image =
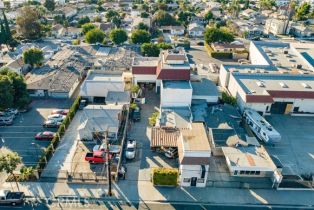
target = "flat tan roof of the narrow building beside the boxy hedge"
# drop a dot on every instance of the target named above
(195, 139)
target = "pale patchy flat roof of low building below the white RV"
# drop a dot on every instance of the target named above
(250, 158)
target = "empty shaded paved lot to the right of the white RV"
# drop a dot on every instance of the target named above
(296, 149)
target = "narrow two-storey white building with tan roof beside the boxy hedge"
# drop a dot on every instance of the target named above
(194, 156)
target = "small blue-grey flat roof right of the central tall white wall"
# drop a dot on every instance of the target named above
(204, 87)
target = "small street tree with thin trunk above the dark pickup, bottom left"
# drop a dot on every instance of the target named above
(9, 163)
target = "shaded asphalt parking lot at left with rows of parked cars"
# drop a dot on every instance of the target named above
(19, 137)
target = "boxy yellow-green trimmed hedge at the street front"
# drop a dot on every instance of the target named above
(165, 176)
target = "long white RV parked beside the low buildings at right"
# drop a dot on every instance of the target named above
(260, 127)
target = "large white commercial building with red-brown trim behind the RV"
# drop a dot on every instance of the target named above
(280, 81)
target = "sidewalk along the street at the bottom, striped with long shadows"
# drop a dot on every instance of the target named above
(144, 191)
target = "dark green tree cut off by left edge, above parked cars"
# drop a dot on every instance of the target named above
(6, 92)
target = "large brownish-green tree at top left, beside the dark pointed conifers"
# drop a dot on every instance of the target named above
(28, 24)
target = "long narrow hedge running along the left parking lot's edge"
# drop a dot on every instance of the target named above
(45, 157)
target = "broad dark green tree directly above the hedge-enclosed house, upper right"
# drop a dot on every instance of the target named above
(217, 35)
